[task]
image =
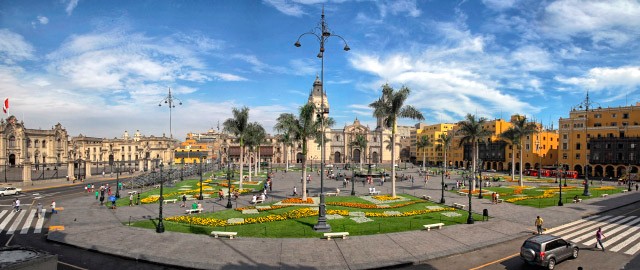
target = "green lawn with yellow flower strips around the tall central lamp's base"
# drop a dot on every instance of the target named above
(303, 226)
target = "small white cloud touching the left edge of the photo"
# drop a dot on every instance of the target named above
(13, 47)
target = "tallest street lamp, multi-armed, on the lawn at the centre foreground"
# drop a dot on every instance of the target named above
(322, 33)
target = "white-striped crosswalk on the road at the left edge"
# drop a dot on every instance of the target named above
(12, 222)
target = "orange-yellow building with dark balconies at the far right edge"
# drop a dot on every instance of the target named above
(604, 140)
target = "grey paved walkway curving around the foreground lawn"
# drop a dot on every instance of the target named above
(93, 227)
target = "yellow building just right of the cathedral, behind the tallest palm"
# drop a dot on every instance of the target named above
(431, 155)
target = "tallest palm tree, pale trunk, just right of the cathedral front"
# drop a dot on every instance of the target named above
(389, 107)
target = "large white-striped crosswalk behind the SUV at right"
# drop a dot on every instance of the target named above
(622, 232)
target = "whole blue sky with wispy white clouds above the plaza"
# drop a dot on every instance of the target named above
(101, 67)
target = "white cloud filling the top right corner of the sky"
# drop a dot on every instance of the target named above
(613, 23)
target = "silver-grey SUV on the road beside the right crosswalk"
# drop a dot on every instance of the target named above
(547, 250)
